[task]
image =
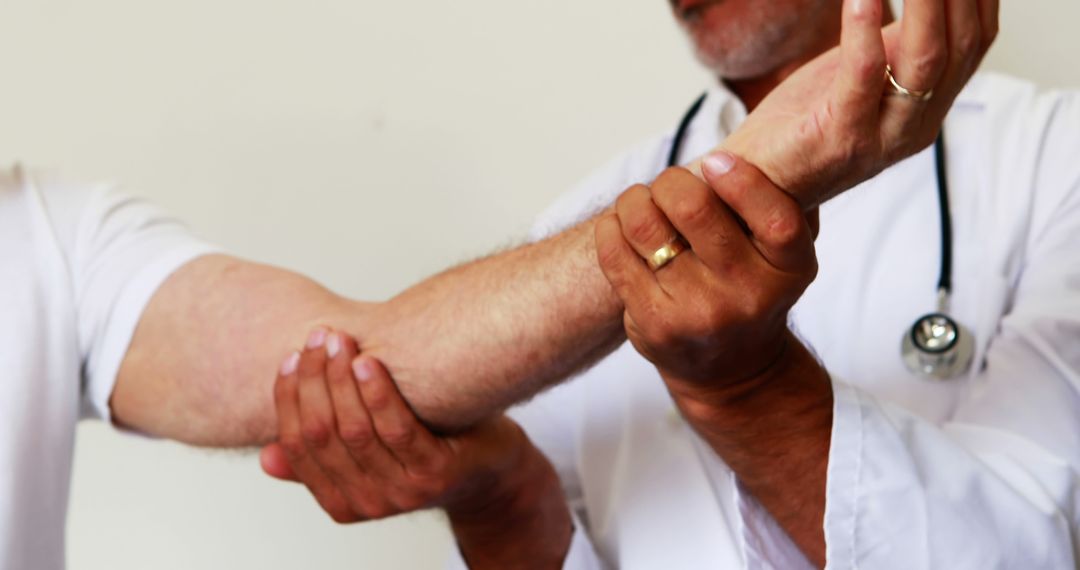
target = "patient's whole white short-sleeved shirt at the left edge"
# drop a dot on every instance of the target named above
(78, 265)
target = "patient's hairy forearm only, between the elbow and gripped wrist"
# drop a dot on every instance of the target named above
(492, 333)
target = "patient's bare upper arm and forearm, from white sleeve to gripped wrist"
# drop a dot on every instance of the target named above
(462, 345)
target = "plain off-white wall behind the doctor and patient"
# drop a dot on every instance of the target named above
(366, 144)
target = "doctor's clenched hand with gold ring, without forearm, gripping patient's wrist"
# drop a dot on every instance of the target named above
(717, 316)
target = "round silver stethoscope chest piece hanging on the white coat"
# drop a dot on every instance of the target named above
(938, 347)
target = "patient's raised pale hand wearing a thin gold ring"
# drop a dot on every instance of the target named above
(834, 124)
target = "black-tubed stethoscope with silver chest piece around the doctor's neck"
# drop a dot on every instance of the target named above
(937, 346)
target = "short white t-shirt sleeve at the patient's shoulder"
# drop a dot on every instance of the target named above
(120, 252)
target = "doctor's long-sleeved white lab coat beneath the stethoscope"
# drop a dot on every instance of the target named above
(975, 473)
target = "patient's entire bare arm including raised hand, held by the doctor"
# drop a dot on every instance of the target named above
(468, 343)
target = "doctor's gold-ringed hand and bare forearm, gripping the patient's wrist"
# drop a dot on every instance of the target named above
(714, 322)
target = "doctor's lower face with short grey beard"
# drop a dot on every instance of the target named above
(763, 37)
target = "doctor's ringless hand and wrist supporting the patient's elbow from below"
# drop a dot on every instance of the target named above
(346, 433)
